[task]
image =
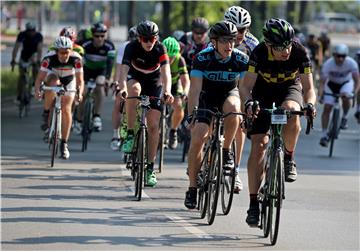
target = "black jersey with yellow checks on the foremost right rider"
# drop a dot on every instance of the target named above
(271, 71)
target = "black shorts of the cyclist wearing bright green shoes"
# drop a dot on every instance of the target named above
(150, 86)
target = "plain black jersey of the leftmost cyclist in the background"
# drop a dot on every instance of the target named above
(29, 44)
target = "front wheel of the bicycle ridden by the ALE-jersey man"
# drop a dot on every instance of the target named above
(214, 183)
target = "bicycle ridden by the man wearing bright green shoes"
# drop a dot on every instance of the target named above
(137, 159)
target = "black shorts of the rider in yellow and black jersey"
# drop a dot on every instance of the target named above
(266, 96)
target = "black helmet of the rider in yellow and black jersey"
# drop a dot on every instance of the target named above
(278, 32)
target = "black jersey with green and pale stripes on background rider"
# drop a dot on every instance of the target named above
(99, 60)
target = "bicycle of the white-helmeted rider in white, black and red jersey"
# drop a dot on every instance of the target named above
(55, 125)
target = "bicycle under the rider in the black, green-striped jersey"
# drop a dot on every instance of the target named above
(88, 114)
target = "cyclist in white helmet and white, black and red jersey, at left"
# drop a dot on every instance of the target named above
(62, 67)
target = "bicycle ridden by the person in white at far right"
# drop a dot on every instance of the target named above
(334, 126)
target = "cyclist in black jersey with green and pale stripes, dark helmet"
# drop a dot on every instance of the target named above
(98, 63)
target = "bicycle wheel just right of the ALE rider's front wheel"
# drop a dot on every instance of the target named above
(228, 185)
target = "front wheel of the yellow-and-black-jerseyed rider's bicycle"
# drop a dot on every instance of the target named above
(276, 195)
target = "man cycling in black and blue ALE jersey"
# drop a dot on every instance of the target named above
(216, 73)
